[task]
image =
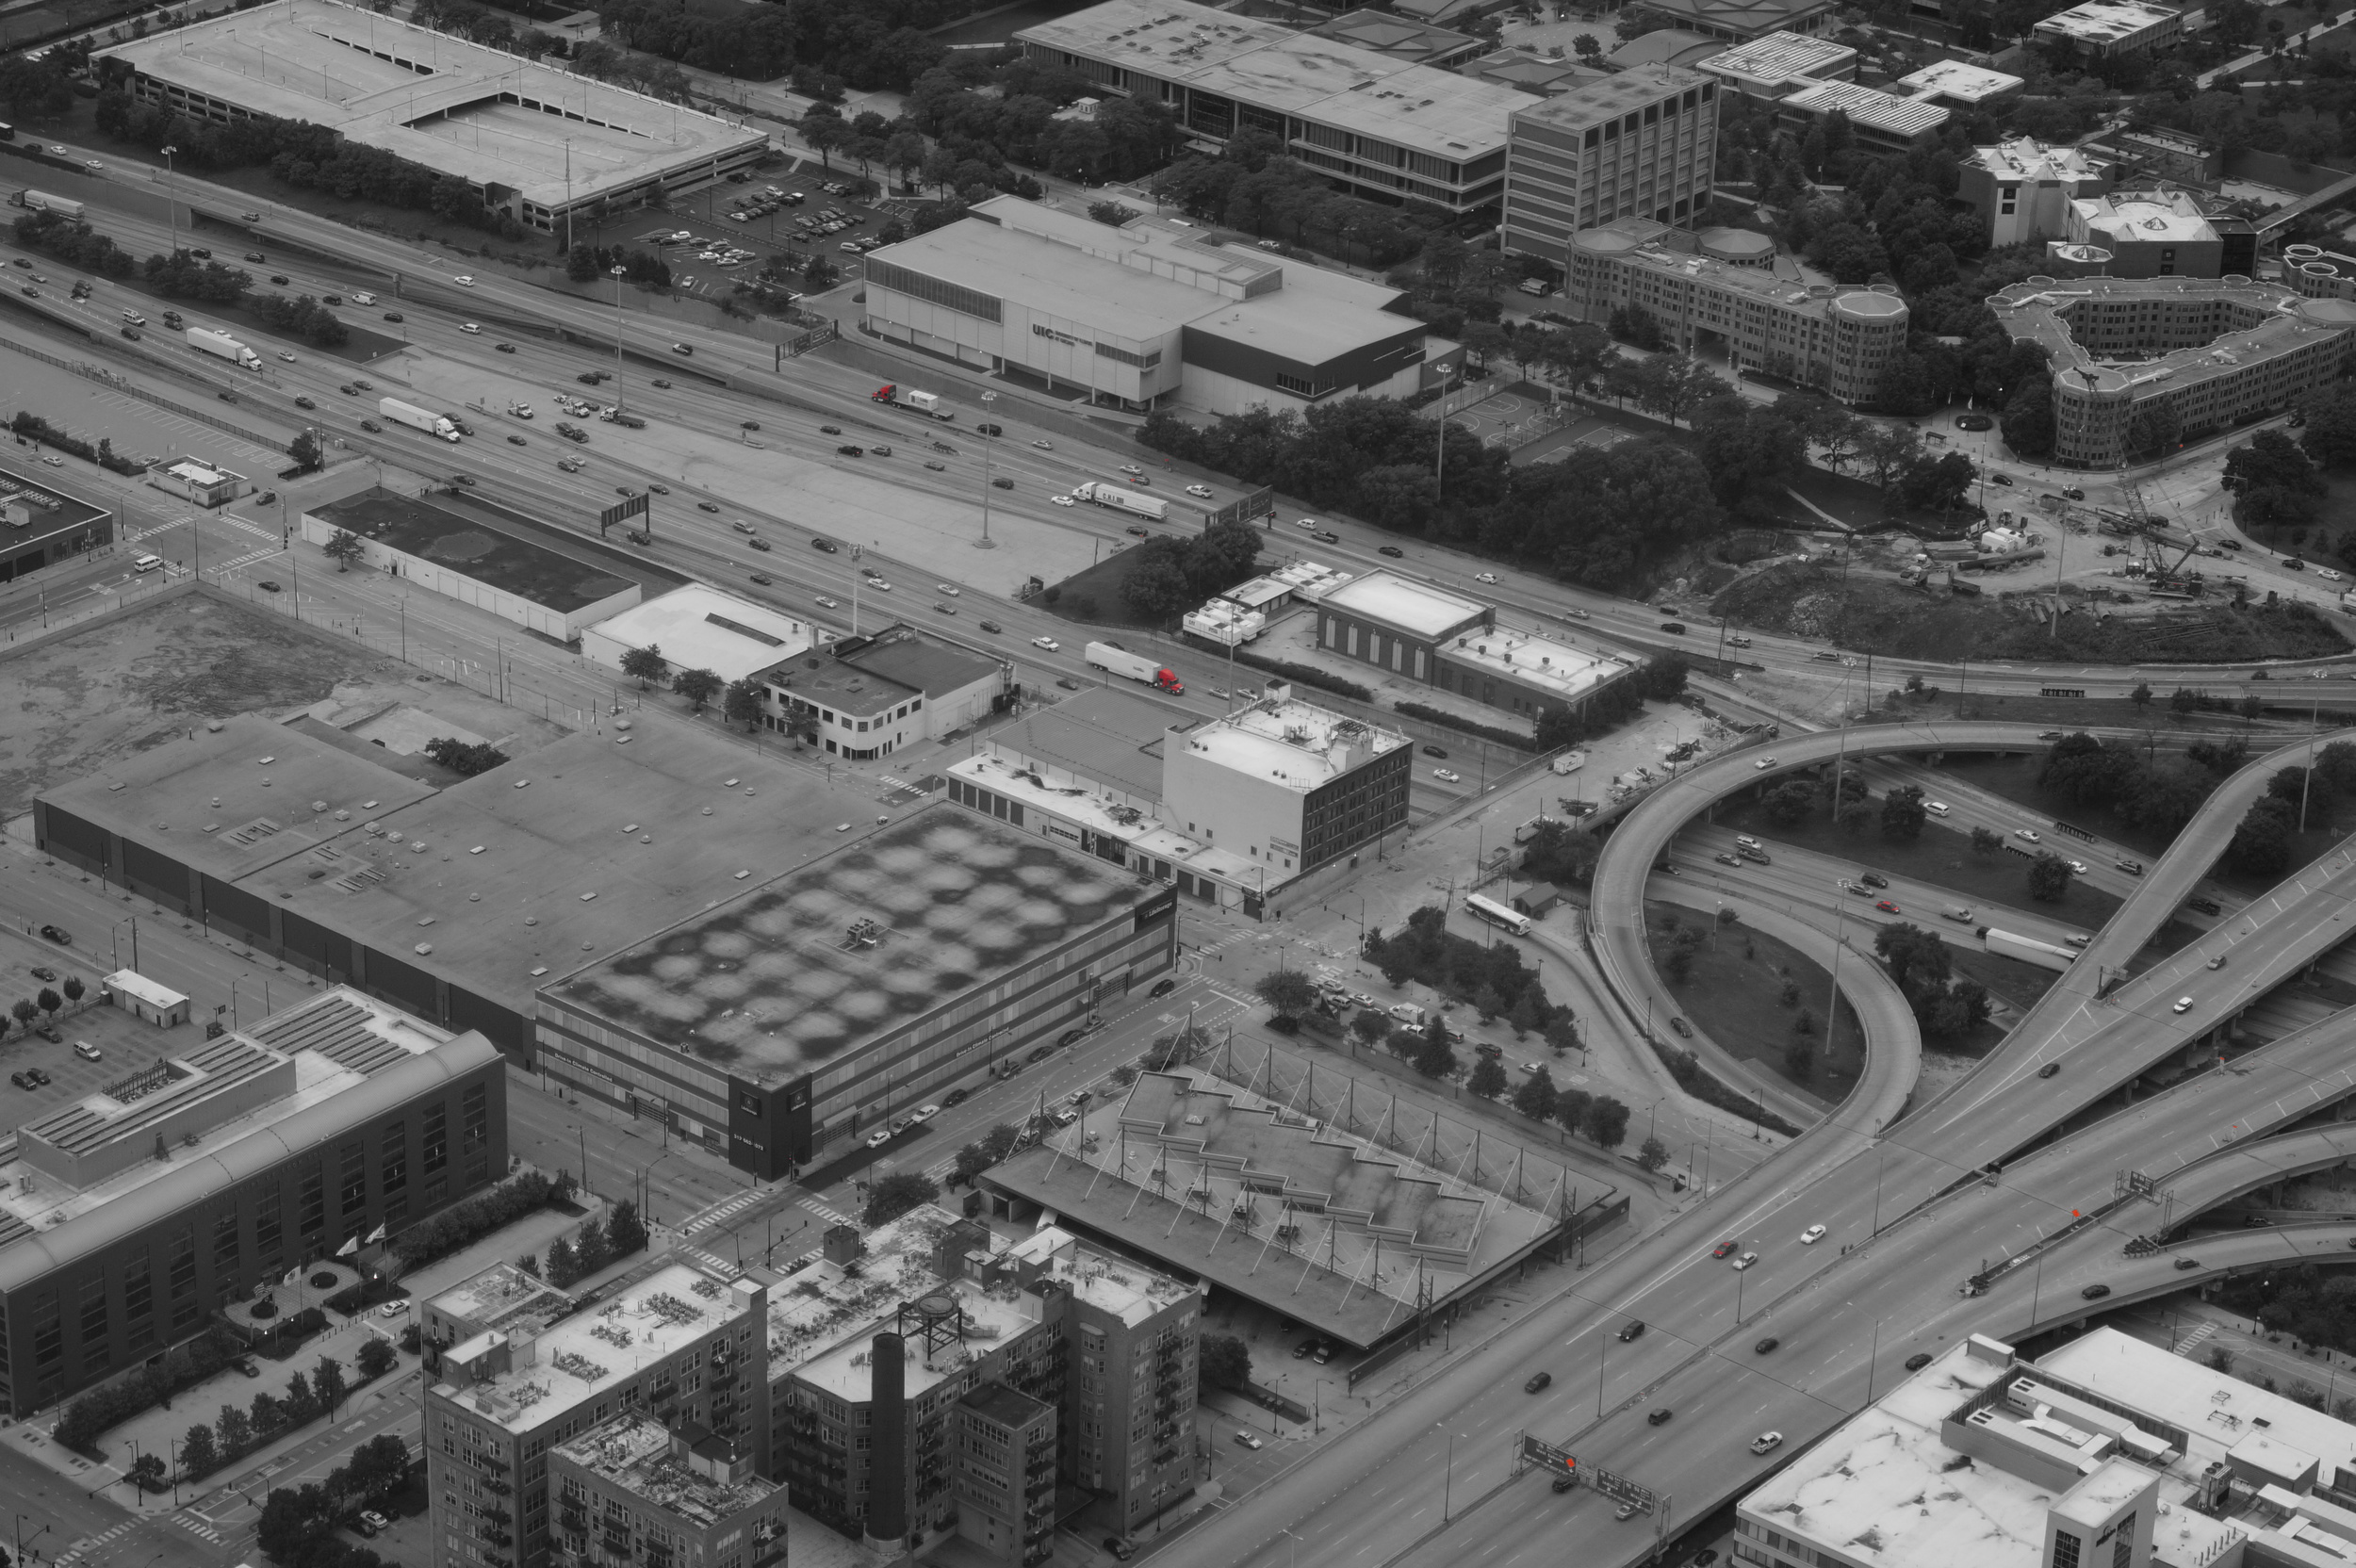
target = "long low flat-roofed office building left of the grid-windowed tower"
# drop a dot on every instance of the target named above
(1372, 124)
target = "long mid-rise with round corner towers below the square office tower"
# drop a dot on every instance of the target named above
(1832, 338)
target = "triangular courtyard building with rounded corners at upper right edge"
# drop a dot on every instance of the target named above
(2192, 354)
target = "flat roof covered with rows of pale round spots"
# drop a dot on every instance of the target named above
(852, 945)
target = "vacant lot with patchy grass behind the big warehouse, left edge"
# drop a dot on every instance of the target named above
(133, 684)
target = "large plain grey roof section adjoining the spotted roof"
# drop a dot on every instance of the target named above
(564, 856)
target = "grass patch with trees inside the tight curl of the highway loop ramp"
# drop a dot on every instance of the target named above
(1735, 997)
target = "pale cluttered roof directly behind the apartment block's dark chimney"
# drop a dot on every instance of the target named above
(823, 1317)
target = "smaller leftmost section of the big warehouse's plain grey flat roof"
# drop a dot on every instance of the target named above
(237, 799)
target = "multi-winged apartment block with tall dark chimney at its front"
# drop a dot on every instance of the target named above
(1101, 1353)
